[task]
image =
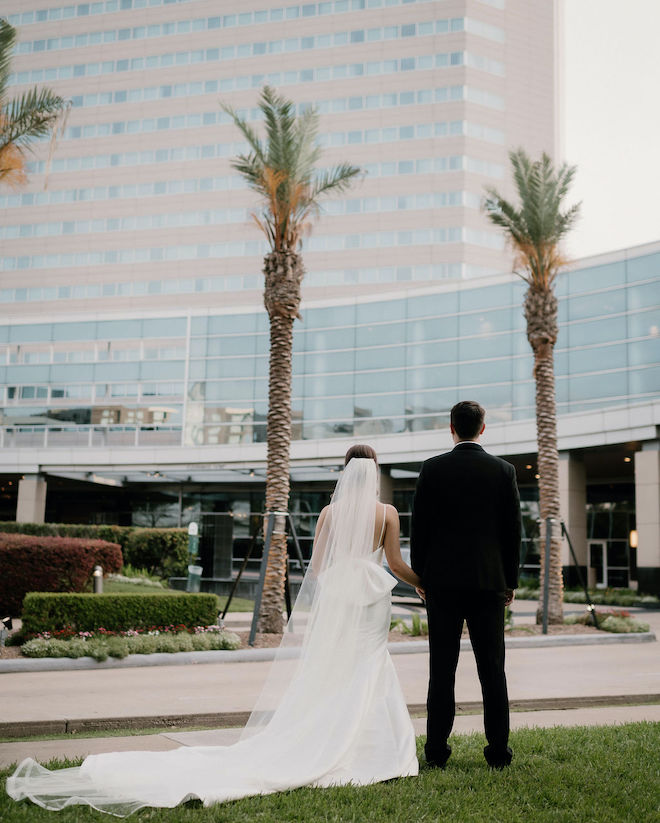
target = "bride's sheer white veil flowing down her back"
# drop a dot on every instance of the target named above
(321, 643)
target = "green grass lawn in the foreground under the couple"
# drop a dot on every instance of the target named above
(580, 775)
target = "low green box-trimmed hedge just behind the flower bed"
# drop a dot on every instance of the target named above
(115, 612)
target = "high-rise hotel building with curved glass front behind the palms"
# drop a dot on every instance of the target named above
(134, 342)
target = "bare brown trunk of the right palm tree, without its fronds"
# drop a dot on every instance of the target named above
(541, 315)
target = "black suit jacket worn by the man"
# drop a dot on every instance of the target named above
(466, 523)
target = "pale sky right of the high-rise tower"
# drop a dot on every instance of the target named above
(611, 121)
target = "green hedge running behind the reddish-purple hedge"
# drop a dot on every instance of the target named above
(160, 551)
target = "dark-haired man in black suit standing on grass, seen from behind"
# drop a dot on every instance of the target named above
(465, 545)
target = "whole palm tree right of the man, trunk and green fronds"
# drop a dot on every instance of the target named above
(534, 230)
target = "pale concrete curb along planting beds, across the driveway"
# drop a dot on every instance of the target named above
(51, 664)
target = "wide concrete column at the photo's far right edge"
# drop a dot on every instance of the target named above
(647, 506)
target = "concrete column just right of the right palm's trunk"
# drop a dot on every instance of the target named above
(573, 507)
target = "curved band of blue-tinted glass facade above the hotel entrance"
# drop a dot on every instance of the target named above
(361, 367)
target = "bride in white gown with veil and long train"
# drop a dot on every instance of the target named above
(331, 711)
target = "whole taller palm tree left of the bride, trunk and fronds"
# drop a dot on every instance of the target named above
(281, 169)
